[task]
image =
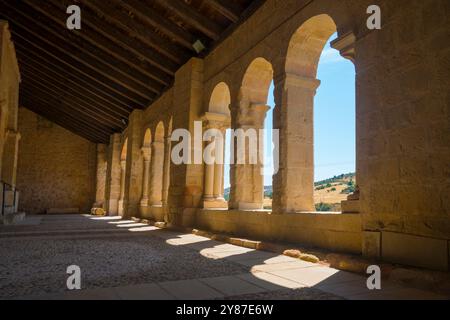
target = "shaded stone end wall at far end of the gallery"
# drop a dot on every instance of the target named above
(56, 167)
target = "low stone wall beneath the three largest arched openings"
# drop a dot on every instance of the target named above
(338, 232)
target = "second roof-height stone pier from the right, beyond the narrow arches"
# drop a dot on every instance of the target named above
(134, 167)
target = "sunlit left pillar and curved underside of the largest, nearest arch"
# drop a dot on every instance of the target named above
(295, 91)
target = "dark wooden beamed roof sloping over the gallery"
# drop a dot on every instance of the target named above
(124, 57)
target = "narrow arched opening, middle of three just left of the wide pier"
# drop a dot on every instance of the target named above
(157, 173)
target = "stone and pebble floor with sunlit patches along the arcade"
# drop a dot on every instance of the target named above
(122, 259)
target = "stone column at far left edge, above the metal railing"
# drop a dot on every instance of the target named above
(10, 157)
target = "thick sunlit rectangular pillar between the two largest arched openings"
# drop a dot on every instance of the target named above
(294, 183)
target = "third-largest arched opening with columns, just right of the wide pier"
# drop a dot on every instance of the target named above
(218, 119)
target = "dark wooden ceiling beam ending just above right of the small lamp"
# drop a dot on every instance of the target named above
(192, 17)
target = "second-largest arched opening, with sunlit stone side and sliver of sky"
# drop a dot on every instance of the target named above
(247, 185)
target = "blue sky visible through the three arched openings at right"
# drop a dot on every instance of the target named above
(334, 119)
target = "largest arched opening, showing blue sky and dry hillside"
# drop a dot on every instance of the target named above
(334, 131)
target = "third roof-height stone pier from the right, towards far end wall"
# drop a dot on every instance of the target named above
(113, 176)
